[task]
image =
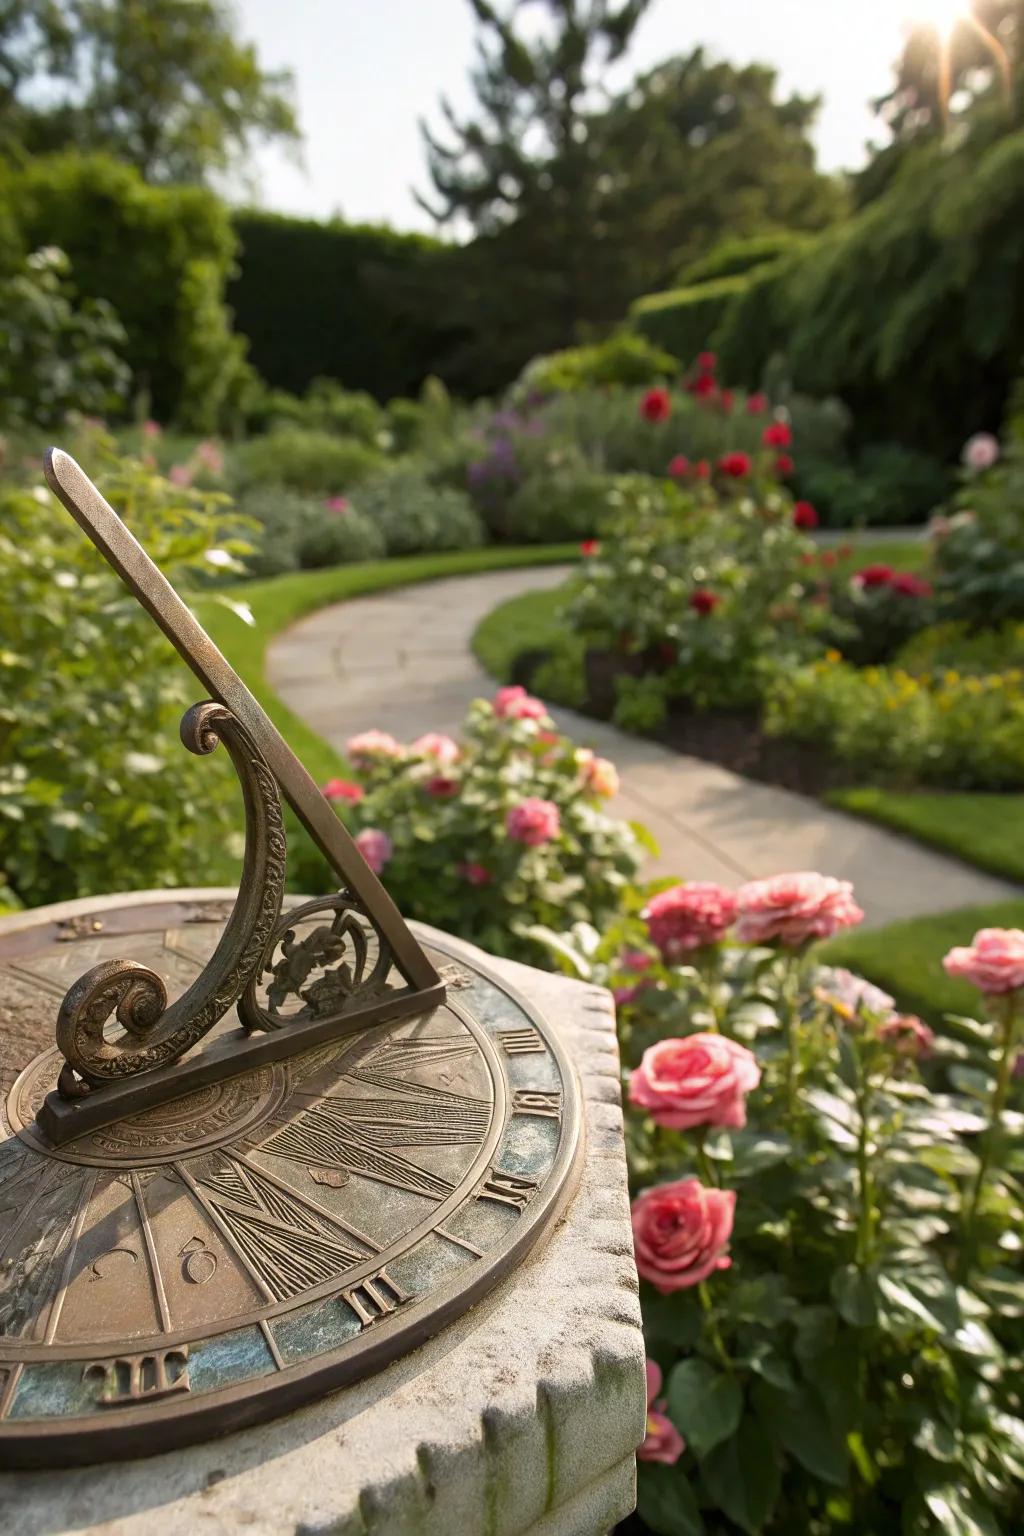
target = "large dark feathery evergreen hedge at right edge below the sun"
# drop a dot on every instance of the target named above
(913, 311)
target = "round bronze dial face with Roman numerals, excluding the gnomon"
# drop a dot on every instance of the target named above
(226, 1256)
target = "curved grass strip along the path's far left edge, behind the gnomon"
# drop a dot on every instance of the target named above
(283, 600)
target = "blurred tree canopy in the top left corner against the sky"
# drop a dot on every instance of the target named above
(165, 85)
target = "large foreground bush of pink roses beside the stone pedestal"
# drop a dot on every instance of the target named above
(827, 1220)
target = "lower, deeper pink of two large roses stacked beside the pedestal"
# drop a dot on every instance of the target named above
(681, 1234)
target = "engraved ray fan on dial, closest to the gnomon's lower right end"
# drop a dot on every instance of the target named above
(357, 1134)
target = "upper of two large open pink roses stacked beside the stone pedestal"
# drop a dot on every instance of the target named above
(702, 1081)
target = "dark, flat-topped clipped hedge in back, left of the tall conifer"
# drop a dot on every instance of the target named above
(348, 302)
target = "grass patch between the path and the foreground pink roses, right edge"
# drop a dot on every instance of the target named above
(908, 958)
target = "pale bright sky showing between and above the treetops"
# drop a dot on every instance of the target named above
(368, 71)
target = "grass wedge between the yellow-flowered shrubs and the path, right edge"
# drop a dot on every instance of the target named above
(985, 830)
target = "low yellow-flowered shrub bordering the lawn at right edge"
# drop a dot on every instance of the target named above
(891, 727)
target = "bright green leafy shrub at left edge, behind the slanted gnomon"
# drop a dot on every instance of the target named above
(96, 790)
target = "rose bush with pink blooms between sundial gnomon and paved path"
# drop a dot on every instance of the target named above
(497, 833)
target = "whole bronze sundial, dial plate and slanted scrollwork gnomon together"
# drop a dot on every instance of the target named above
(254, 1150)
